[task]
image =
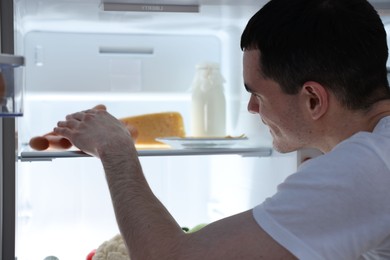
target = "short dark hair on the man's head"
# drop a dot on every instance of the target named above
(341, 44)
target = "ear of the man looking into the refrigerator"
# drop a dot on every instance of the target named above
(316, 98)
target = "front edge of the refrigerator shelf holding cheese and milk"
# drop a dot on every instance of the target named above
(245, 152)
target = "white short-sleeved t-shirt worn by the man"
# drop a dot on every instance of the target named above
(336, 206)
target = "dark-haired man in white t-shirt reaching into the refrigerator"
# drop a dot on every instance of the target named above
(316, 70)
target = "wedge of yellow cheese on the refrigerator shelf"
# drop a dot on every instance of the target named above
(152, 126)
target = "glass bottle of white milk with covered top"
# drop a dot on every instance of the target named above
(208, 102)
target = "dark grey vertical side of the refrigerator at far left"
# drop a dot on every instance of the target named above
(8, 158)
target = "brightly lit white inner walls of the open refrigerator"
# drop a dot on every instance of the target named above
(76, 56)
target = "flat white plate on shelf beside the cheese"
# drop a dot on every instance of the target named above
(201, 142)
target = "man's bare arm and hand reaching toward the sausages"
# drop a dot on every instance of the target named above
(148, 229)
